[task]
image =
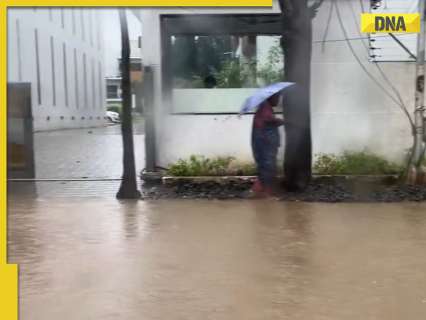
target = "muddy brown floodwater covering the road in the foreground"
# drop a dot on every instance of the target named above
(105, 259)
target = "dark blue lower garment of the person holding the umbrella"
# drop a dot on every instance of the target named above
(265, 144)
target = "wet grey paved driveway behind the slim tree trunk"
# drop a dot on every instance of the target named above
(92, 153)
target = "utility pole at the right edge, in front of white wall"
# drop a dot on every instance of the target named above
(415, 174)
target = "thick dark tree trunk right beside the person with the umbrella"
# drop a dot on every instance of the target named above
(297, 47)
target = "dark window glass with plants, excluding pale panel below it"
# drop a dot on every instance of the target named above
(225, 61)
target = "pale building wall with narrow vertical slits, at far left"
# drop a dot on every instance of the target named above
(65, 102)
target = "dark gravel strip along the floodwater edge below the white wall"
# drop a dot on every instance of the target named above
(330, 189)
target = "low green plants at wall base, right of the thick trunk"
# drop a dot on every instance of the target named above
(354, 163)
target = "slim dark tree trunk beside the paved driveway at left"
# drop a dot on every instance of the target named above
(128, 188)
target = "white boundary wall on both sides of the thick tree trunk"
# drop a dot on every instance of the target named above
(349, 112)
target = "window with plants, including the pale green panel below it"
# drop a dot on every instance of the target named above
(233, 65)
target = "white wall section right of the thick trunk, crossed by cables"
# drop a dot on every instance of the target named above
(349, 111)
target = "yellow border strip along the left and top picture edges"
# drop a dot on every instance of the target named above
(9, 273)
